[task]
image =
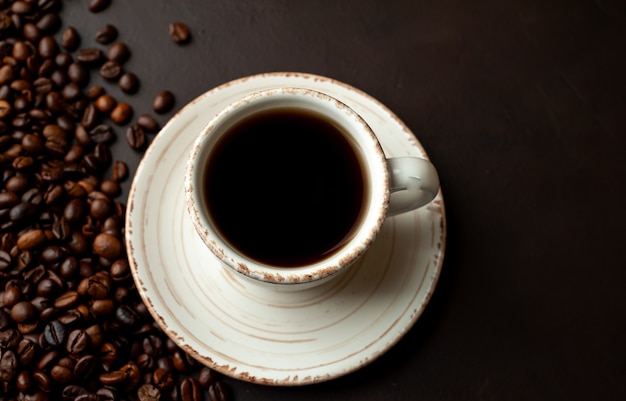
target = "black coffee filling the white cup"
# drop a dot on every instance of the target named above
(285, 187)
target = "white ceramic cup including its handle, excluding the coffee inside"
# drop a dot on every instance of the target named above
(414, 182)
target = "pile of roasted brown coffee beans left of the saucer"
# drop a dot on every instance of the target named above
(72, 325)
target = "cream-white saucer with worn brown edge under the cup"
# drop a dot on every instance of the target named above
(272, 336)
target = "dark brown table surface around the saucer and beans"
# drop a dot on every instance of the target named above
(521, 105)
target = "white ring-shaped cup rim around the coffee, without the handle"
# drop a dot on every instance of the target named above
(315, 273)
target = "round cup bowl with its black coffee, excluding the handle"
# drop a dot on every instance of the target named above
(287, 186)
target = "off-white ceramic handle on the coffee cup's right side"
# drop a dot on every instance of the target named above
(414, 182)
